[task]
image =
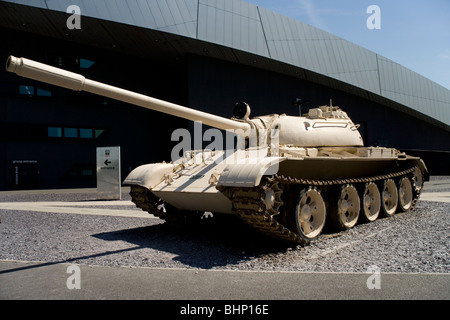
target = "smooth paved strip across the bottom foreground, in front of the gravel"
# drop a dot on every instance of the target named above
(26, 280)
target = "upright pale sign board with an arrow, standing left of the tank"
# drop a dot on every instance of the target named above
(108, 174)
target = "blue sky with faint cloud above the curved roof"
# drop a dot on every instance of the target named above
(414, 33)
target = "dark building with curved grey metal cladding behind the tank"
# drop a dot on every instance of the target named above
(205, 54)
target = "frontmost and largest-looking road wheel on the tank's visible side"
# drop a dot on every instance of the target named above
(307, 214)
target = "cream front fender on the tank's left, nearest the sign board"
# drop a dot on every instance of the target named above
(149, 175)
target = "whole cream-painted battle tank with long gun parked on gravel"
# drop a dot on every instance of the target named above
(287, 177)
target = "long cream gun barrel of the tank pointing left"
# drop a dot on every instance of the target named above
(70, 80)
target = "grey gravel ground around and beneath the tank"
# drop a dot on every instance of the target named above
(410, 242)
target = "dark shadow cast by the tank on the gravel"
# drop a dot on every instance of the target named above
(206, 245)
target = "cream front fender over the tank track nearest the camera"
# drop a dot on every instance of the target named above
(249, 174)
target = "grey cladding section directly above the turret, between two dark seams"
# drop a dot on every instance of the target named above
(299, 44)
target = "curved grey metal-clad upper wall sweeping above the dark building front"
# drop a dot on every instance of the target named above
(240, 25)
